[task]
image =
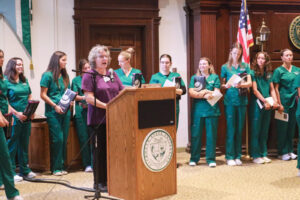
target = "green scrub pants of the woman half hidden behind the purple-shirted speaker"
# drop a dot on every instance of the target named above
(82, 132)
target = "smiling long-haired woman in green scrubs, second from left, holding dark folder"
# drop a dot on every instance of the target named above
(18, 94)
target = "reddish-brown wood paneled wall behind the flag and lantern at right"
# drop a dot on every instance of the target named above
(212, 29)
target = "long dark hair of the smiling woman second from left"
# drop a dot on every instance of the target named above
(11, 71)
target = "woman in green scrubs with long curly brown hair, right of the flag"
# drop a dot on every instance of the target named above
(260, 118)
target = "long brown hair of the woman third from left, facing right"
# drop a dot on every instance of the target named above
(55, 68)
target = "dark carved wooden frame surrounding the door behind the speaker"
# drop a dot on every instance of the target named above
(120, 13)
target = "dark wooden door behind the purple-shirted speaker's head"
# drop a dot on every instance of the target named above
(117, 39)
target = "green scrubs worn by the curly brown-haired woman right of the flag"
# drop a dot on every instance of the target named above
(259, 118)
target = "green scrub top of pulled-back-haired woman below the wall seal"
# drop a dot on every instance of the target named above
(285, 79)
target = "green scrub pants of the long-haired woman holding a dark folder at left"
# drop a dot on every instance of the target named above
(18, 143)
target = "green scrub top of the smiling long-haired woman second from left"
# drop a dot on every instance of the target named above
(17, 94)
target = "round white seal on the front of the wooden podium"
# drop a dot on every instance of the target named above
(157, 150)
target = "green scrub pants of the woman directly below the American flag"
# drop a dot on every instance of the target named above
(235, 120)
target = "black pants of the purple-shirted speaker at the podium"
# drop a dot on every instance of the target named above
(100, 133)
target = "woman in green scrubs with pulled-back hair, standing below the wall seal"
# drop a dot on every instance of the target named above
(283, 79)
